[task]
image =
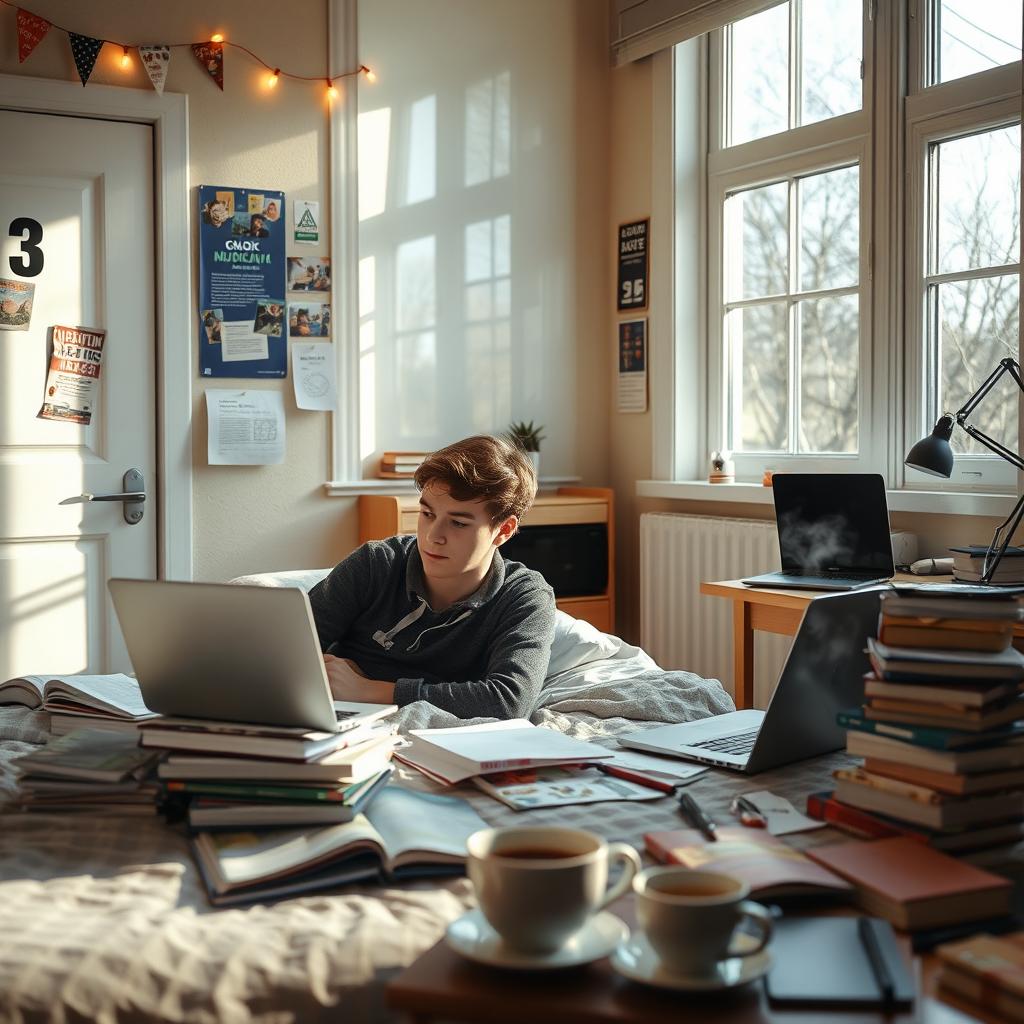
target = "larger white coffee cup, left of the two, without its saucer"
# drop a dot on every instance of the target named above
(538, 886)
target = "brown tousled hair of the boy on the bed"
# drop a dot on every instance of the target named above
(484, 468)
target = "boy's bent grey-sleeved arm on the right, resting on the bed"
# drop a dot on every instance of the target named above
(518, 664)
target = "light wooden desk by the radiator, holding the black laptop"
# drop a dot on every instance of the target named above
(774, 612)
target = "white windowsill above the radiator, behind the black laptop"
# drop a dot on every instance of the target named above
(943, 502)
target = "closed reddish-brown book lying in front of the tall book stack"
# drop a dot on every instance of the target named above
(914, 886)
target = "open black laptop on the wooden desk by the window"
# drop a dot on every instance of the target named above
(833, 532)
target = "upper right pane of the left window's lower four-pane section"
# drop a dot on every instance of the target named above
(830, 230)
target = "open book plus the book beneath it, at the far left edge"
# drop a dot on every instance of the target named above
(113, 702)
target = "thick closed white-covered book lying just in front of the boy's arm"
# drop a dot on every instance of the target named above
(449, 756)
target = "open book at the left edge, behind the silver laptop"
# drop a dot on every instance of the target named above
(102, 697)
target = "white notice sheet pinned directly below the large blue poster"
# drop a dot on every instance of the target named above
(246, 429)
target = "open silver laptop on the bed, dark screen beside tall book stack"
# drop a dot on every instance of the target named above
(823, 675)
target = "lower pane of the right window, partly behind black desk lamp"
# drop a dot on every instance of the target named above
(977, 328)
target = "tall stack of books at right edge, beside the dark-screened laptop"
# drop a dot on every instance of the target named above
(942, 730)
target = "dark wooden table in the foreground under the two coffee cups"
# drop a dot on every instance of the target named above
(442, 986)
